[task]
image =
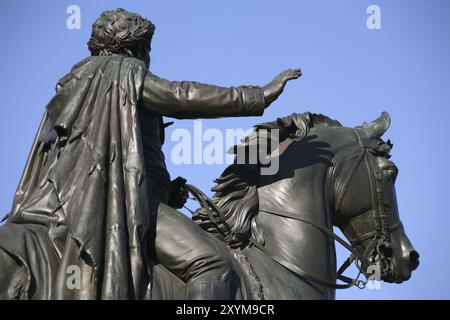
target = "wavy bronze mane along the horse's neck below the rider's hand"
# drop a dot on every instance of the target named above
(236, 190)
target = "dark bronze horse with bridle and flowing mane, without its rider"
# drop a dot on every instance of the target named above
(277, 228)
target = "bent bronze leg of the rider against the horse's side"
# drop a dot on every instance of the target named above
(188, 252)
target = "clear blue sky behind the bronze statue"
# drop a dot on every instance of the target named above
(350, 73)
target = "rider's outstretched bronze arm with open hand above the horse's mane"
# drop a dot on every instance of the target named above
(190, 99)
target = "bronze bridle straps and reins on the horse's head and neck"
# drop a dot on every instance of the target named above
(379, 238)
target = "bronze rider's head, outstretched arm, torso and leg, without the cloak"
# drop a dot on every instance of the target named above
(187, 253)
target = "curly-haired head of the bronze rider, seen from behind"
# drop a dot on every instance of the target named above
(123, 33)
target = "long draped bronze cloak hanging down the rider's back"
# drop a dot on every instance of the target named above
(81, 207)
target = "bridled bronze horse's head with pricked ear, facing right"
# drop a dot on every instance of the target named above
(365, 203)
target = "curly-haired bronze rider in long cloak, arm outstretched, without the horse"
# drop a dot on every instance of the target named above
(95, 192)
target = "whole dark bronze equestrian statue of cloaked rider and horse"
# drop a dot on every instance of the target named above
(95, 195)
